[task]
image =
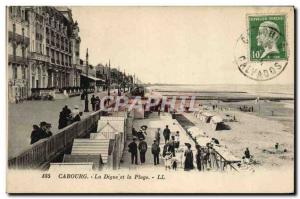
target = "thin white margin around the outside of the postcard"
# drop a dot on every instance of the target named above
(3, 85)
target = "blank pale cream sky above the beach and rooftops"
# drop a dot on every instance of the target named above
(182, 45)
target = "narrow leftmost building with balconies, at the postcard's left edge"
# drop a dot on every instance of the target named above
(18, 52)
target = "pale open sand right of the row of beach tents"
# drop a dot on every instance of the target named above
(258, 133)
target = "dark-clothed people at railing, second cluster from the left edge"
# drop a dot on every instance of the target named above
(67, 117)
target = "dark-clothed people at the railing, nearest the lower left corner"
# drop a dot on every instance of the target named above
(40, 132)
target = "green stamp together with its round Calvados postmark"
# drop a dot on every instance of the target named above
(261, 53)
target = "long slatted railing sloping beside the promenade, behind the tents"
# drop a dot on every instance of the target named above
(46, 150)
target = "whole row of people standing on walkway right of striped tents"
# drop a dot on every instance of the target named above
(171, 152)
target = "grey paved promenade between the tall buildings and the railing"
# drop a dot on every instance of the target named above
(22, 116)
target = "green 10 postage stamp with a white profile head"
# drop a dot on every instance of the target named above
(267, 37)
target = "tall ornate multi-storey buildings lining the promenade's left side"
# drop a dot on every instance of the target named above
(50, 40)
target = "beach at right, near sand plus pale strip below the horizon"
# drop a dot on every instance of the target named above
(270, 122)
